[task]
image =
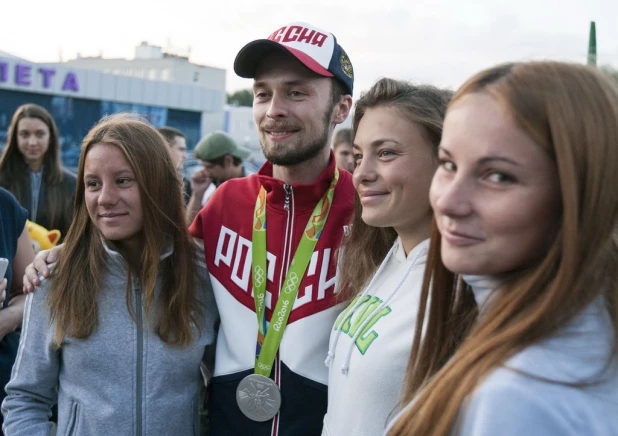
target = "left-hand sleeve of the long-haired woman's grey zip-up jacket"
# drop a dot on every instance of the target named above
(32, 389)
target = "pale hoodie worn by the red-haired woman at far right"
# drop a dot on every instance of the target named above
(518, 400)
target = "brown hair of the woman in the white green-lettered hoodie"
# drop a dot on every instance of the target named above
(365, 247)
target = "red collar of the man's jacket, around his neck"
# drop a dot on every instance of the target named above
(305, 196)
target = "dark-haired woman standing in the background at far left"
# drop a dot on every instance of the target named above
(30, 169)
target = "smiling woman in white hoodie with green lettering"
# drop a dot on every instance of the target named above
(397, 131)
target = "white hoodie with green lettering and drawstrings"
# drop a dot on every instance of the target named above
(367, 363)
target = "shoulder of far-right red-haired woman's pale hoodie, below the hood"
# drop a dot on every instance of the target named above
(510, 402)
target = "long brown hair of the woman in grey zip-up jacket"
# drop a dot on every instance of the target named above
(77, 278)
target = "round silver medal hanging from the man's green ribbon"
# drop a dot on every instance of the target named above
(258, 397)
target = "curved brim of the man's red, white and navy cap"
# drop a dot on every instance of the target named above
(249, 57)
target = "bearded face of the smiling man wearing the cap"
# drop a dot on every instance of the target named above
(292, 110)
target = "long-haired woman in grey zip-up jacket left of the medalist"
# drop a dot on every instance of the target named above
(117, 334)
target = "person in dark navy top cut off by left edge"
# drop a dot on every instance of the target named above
(16, 246)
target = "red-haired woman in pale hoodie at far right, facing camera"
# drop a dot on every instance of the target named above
(518, 321)
